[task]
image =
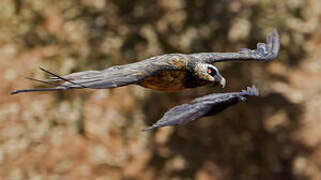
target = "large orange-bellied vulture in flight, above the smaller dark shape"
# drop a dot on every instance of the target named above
(169, 72)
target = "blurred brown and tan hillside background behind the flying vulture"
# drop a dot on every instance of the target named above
(96, 134)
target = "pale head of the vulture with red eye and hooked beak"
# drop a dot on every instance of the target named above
(209, 72)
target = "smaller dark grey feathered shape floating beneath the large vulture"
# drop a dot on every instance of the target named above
(203, 106)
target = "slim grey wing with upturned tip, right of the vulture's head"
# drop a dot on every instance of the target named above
(264, 52)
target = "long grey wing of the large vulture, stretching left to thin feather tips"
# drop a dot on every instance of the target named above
(112, 77)
